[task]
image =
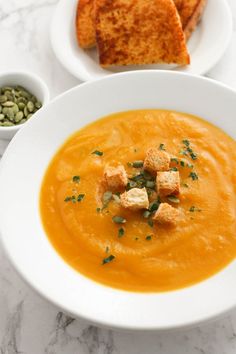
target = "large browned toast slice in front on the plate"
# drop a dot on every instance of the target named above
(139, 32)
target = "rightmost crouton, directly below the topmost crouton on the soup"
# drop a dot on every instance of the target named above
(168, 183)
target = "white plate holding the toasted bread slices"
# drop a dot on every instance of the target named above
(206, 46)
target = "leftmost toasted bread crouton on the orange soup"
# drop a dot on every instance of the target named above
(115, 177)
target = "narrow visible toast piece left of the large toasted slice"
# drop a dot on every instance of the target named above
(85, 23)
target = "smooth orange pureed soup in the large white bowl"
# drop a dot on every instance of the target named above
(139, 254)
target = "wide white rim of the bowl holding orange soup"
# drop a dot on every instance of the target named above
(23, 167)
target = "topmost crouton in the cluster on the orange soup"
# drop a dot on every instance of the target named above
(156, 160)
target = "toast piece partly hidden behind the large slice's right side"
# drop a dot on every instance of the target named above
(190, 12)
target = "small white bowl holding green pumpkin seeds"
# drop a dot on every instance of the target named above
(33, 83)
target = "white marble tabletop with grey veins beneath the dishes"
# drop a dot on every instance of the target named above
(28, 323)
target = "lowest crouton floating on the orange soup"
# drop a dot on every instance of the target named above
(166, 214)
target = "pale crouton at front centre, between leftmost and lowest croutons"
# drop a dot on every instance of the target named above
(135, 199)
